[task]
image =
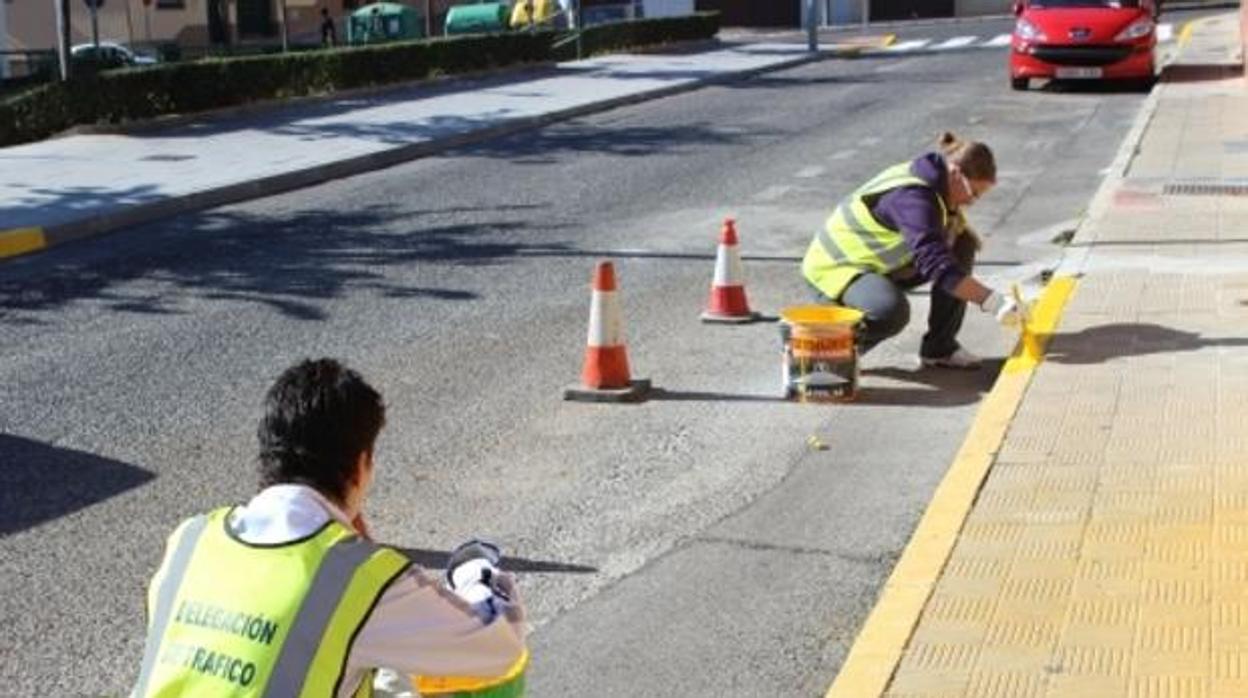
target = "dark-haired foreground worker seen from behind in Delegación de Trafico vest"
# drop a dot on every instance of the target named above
(289, 596)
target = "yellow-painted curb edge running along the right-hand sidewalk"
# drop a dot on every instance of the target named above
(878, 650)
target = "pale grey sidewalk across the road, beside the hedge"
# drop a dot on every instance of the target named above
(66, 189)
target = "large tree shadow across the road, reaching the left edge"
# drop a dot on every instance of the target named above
(291, 263)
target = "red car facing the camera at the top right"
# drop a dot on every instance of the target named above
(1084, 41)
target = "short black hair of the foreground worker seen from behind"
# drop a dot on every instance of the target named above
(320, 416)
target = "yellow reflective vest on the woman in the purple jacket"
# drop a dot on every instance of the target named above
(853, 242)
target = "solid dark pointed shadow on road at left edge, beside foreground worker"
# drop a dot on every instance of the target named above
(42, 483)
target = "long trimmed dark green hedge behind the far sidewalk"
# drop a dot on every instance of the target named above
(133, 94)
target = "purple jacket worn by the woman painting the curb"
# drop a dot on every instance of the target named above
(914, 212)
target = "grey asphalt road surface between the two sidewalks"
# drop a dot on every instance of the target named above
(696, 545)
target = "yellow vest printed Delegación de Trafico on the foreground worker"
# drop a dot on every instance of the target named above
(265, 621)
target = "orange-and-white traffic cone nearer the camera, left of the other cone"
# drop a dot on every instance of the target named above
(606, 376)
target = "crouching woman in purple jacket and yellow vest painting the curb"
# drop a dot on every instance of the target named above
(903, 229)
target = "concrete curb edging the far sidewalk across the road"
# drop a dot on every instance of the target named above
(69, 232)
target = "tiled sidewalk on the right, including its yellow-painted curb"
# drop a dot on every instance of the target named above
(1093, 538)
